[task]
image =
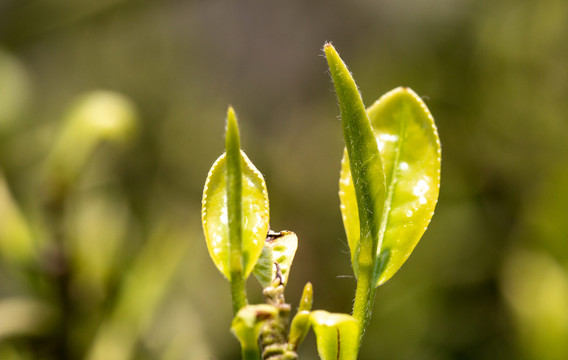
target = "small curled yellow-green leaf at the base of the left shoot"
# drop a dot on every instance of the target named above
(247, 324)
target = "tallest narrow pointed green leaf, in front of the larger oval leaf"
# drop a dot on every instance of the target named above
(365, 162)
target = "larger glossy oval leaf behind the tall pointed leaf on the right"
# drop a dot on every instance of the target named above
(410, 150)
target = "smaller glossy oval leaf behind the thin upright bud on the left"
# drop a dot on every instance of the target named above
(255, 215)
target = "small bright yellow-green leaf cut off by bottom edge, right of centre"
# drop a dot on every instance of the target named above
(336, 335)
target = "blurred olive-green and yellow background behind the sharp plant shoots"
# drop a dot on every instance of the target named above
(112, 112)
